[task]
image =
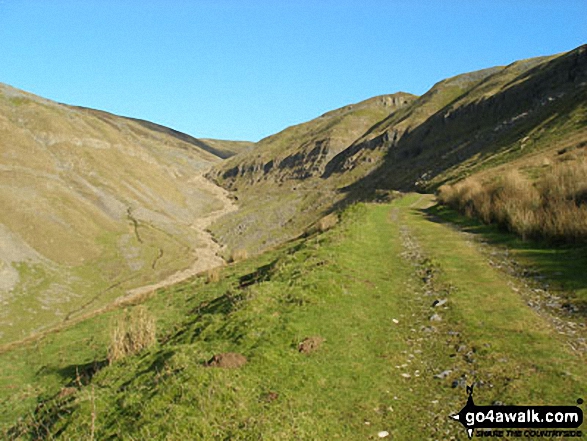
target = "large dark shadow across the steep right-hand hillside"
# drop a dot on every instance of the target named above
(478, 128)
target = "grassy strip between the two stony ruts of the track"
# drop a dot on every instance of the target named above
(517, 350)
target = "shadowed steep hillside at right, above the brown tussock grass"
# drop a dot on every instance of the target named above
(500, 115)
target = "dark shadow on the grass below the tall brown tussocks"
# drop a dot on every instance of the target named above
(559, 267)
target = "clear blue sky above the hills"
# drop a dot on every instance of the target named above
(244, 69)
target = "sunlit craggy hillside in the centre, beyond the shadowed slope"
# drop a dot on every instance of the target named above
(278, 184)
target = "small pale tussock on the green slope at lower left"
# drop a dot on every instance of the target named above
(132, 333)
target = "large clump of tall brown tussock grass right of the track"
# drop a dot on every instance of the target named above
(554, 207)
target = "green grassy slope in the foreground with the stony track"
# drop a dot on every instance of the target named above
(376, 325)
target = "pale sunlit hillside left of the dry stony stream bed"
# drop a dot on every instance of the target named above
(92, 204)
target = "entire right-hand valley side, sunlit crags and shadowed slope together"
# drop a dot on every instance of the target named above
(462, 125)
